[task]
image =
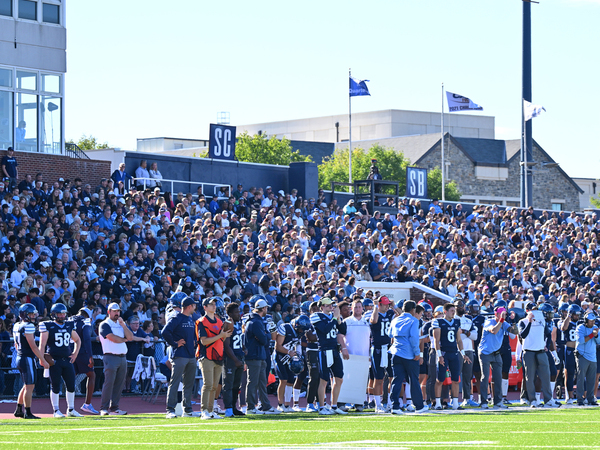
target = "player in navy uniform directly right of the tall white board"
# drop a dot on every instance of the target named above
(380, 320)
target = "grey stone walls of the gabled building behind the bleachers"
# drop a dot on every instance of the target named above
(548, 183)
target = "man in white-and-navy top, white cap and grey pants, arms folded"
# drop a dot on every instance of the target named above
(114, 335)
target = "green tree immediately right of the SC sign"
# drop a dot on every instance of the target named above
(260, 149)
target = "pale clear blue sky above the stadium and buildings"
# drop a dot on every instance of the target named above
(139, 69)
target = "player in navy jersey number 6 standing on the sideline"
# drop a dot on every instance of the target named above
(447, 342)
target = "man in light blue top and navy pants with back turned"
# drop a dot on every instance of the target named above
(406, 355)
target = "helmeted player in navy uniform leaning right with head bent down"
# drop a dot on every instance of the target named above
(287, 347)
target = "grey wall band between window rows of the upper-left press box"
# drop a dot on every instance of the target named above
(39, 46)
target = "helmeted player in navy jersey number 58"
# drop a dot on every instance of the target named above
(55, 339)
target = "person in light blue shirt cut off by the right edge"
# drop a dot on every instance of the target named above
(587, 342)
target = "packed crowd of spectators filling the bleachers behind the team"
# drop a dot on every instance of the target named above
(87, 247)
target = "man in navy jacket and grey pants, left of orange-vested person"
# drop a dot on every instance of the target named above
(180, 334)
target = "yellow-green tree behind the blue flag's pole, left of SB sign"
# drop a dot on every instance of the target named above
(392, 166)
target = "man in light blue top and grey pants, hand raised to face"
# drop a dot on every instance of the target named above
(489, 354)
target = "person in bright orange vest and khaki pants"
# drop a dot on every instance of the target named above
(210, 335)
